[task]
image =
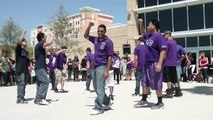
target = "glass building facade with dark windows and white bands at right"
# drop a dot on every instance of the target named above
(189, 20)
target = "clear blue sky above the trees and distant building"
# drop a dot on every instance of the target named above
(30, 13)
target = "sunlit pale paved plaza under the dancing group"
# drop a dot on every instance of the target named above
(196, 104)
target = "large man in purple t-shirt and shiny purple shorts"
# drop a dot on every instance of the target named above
(155, 54)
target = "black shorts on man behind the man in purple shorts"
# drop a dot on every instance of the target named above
(170, 74)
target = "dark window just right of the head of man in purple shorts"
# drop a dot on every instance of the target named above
(165, 19)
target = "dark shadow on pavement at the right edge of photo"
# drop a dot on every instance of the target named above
(206, 90)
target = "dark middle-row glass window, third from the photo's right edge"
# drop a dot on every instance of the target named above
(180, 19)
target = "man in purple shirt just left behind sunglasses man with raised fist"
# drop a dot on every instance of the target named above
(90, 69)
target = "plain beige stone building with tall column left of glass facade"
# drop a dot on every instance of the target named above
(120, 34)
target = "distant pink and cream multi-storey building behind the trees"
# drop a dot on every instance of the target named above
(78, 22)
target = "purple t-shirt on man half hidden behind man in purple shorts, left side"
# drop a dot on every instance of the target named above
(141, 54)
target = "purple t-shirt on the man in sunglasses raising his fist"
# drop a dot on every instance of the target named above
(103, 49)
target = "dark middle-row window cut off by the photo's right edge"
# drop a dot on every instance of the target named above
(208, 15)
